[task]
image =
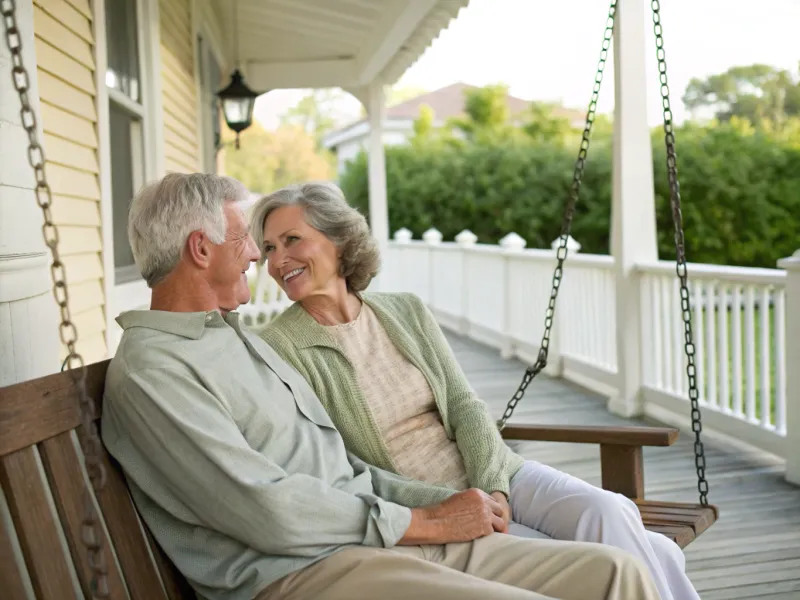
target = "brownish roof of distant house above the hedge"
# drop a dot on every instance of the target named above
(446, 103)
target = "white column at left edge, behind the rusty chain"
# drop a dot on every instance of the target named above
(28, 319)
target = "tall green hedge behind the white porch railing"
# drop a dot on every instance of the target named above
(740, 193)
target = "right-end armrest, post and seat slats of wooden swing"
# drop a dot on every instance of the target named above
(622, 471)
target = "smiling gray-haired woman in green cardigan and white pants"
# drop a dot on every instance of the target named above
(382, 368)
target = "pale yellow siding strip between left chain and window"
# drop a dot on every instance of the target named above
(64, 40)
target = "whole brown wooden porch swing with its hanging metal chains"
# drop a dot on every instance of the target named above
(41, 416)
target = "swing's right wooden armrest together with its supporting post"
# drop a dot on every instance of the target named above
(621, 460)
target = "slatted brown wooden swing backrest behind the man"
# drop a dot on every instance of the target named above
(44, 486)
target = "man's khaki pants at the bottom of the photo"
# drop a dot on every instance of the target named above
(497, 567)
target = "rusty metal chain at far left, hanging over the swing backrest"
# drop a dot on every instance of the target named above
(92, 446)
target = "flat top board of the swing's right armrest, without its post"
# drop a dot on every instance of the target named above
(604, 435)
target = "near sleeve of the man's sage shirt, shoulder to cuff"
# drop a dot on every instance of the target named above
(191, 447)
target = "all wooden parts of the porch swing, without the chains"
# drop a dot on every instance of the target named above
(40, 460)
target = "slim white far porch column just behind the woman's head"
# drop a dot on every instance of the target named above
(378, 210)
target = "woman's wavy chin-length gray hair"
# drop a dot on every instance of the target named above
(327, 211)
